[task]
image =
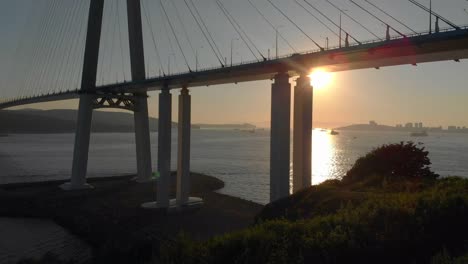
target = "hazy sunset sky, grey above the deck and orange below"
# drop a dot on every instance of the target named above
(434, 93)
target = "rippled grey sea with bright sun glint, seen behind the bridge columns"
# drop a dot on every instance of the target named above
(239, 158)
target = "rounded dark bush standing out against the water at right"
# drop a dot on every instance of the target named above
(391, 164)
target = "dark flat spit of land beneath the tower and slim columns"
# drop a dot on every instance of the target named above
(109, 217)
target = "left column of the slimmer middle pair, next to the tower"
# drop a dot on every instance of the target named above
(164, 148)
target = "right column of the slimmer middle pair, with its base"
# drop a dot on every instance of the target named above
(183, 154)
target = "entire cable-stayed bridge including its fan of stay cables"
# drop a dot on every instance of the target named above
(77, 48)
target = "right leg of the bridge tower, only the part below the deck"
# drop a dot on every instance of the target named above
(142, 139)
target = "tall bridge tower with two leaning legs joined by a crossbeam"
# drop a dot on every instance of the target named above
(90, 99)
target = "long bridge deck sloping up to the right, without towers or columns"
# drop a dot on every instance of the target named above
(445, 46)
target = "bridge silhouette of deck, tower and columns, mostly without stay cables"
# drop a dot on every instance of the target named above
(403, 49)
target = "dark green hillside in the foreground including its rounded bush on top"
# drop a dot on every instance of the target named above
(402, 215)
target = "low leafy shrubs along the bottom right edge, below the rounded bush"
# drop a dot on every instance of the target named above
(390, 228)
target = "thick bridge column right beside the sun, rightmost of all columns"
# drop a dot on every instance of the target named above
(302, 140)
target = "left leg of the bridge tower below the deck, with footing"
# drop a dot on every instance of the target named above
(80, 152)
